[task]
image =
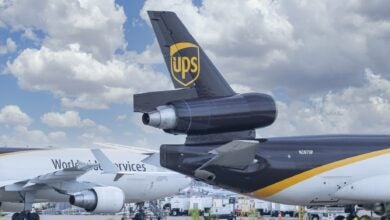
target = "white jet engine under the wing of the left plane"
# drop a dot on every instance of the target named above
(106, 199)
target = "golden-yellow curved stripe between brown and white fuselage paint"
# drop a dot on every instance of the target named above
(281, 185)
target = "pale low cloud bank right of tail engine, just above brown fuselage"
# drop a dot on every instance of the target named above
(355, 109)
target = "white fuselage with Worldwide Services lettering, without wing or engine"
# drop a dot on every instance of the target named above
(142, 182)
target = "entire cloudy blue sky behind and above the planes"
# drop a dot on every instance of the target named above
(69, 70)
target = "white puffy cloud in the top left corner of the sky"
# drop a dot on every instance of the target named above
(95, 25)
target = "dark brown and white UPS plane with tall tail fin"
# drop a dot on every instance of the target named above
(221, 148)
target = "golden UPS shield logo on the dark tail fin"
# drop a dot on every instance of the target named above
(185, 62)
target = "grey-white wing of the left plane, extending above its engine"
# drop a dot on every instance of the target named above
(64, 181)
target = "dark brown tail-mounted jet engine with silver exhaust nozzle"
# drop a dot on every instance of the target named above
(214, 115)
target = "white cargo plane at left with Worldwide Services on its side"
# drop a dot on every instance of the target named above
(84, 177)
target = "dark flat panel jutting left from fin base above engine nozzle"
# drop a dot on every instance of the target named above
(147, 102)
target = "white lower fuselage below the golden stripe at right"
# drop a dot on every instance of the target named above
(364, 181)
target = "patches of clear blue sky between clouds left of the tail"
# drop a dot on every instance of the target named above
(37, 103)
